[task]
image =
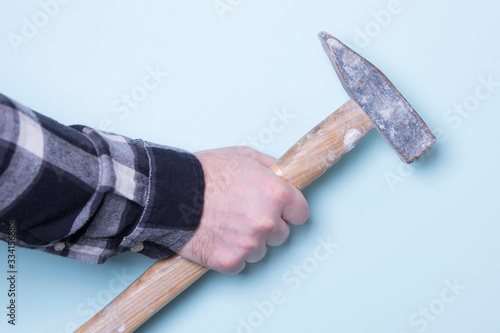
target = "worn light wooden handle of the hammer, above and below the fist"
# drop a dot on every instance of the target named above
(312, 155)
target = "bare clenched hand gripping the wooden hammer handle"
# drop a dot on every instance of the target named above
(246, 207)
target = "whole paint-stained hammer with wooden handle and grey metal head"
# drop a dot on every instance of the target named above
(374, 103)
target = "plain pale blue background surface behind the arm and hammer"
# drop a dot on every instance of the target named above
(399, 246)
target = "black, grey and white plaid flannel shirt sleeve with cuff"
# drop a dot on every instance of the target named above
(89, 195)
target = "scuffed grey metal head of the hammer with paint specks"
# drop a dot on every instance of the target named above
(392, 115)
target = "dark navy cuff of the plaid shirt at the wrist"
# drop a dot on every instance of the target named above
(175, 201)
